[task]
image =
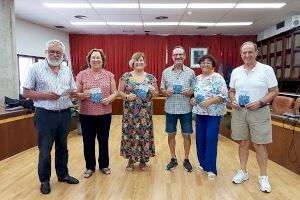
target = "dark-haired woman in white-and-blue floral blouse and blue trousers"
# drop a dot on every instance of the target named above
(209, 104)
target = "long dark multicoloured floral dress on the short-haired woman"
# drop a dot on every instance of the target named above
(137, 126)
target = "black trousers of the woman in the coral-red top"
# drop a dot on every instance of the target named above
(91, 127)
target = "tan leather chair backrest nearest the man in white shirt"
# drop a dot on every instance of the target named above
(282, 104)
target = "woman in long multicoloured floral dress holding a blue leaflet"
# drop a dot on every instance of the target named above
(137, 88)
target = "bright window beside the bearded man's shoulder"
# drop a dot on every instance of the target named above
(23, 63)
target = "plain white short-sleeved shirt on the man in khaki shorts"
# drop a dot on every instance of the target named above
(254, 83)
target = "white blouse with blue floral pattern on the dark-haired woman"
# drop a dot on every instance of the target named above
(208, 87)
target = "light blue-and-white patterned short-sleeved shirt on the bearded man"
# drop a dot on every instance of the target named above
(39, 77)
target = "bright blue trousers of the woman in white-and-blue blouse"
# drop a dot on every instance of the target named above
(207, 130)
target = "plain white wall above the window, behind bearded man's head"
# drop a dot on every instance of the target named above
(31, 38)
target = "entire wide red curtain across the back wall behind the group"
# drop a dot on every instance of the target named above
(119, 49)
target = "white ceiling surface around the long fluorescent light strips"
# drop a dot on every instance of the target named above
(35, 12)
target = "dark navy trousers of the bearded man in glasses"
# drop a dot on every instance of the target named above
(52, 126)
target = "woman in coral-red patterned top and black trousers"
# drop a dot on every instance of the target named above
(97, 90)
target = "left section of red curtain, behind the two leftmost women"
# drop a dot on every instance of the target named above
(118, 50)
